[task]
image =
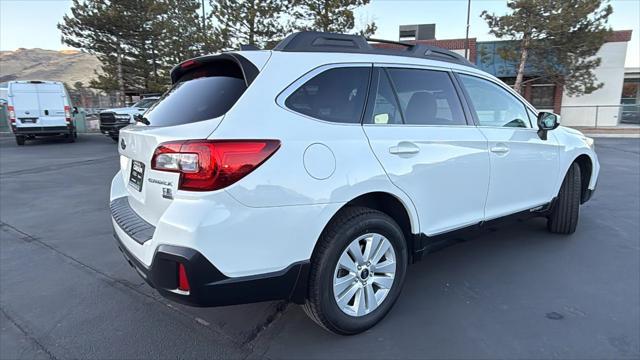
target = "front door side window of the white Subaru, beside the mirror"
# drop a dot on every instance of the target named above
(493, 105)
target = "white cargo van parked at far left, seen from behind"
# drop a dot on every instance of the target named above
(40, 108)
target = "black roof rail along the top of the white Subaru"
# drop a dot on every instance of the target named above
(314, 41)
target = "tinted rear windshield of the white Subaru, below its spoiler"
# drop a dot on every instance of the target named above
(202, 94)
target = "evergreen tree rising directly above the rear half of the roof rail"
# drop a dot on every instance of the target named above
(329, 15)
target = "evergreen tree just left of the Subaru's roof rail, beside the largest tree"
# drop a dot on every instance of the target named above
(256, 22)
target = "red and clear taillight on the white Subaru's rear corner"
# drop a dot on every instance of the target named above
(206, 165)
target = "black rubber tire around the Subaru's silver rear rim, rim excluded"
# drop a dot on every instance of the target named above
(347, 226)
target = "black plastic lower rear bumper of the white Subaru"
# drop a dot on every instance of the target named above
(208, 286)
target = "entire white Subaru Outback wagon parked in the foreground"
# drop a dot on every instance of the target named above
(316, 172)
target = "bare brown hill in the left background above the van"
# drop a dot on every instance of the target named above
(68, 66)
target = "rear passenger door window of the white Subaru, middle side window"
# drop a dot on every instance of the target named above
(427, 97)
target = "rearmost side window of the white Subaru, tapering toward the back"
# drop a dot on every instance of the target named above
(336, 95)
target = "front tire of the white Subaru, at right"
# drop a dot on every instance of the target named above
(566, 209)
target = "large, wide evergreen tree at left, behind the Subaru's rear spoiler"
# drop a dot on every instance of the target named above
(137, 41)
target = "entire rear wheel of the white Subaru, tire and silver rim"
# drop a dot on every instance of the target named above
(357, 271)
